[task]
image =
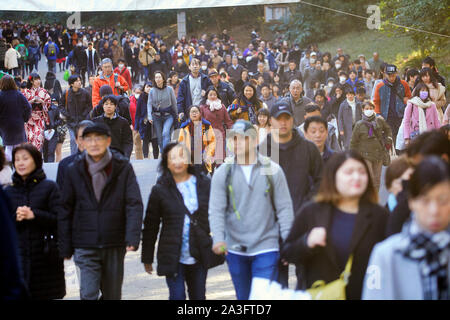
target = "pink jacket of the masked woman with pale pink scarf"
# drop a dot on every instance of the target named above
(411, 119)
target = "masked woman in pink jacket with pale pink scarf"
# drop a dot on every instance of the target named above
(420, 114)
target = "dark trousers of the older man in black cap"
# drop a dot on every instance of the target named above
(100, 270)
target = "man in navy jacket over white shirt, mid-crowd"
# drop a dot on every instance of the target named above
(192, 89)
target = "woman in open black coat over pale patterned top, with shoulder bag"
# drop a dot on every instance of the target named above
(180, 196)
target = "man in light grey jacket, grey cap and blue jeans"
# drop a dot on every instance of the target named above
(250, 208)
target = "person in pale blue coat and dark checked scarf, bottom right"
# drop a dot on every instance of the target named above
(414, 264)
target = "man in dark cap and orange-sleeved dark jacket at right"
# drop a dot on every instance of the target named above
(390, 98)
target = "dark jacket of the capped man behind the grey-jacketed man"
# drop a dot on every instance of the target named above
(301, 161)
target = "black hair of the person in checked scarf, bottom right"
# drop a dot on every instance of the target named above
(428, 173)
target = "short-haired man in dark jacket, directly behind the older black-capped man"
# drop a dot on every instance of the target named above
(75, 105)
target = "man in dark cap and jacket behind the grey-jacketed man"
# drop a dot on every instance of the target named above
(299, 158)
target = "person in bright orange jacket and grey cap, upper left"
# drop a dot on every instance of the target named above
(117, 83)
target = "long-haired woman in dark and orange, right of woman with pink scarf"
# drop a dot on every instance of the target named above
(246, 105)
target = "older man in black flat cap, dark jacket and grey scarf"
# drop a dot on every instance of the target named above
(102, 215)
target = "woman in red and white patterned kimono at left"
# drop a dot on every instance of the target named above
(40, 101)
